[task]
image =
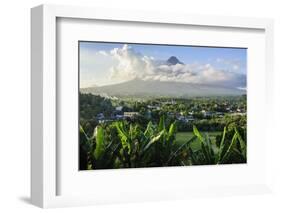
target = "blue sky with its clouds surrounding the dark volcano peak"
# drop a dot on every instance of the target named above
(109, 63)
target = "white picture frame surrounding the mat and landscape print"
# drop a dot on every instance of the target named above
(44, 154)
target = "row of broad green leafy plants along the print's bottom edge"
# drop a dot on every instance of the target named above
(124, 145)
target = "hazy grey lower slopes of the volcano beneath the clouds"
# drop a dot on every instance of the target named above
(151, 88)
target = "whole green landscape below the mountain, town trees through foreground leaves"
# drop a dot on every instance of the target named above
(125, 133)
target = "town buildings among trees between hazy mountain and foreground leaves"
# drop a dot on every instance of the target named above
(102, 110)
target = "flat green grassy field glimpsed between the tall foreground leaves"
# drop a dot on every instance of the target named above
(182, 137)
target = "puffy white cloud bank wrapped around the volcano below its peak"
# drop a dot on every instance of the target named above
(131, 65)
